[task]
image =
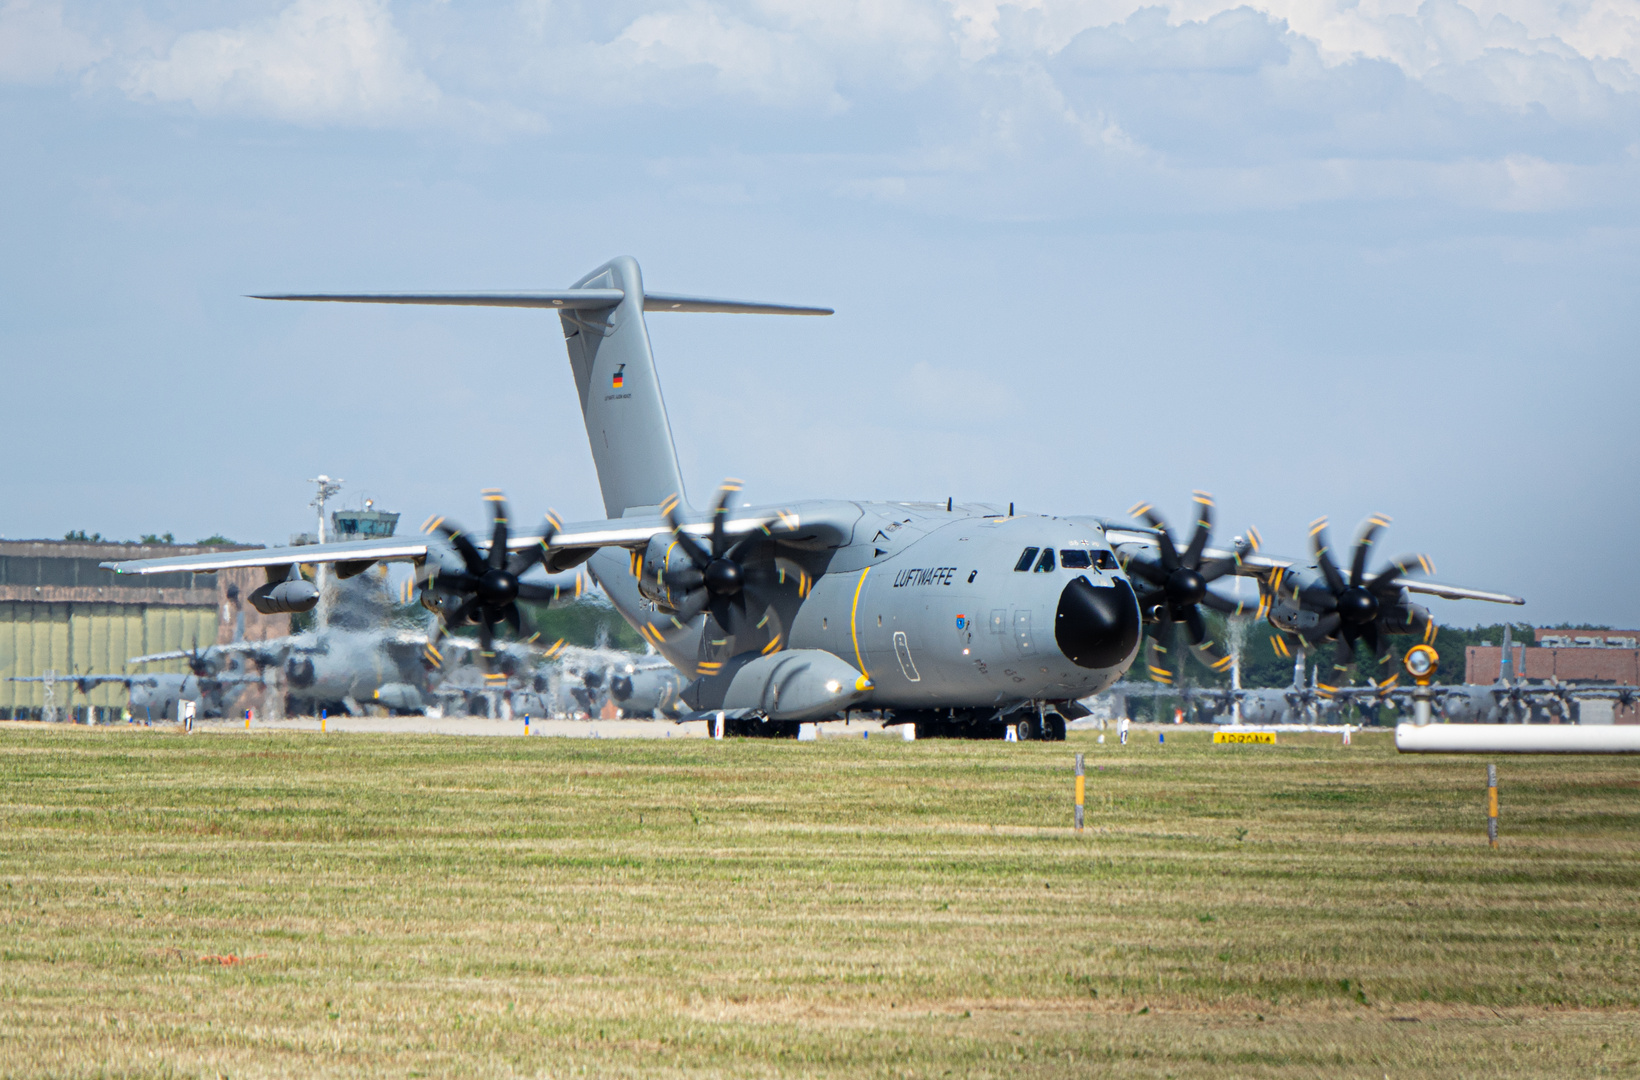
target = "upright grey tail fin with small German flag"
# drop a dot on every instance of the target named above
(621, 394)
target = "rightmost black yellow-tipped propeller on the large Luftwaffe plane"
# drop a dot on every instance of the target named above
(1365, 607)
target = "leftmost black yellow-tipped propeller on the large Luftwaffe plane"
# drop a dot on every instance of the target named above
(486, 591)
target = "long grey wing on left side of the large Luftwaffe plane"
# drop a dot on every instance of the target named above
(785, 525)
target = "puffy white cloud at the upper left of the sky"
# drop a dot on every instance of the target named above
(316, 61)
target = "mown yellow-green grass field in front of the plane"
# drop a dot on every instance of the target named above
(247, 904)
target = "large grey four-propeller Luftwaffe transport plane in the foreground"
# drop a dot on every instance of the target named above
(957, 617)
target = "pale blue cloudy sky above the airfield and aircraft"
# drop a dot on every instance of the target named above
(1316, 258)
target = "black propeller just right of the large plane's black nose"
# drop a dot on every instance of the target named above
(1175, 588)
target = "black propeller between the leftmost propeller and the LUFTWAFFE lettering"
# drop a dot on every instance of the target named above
(731, 579)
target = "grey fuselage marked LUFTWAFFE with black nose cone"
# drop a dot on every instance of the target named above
(939, 609)
